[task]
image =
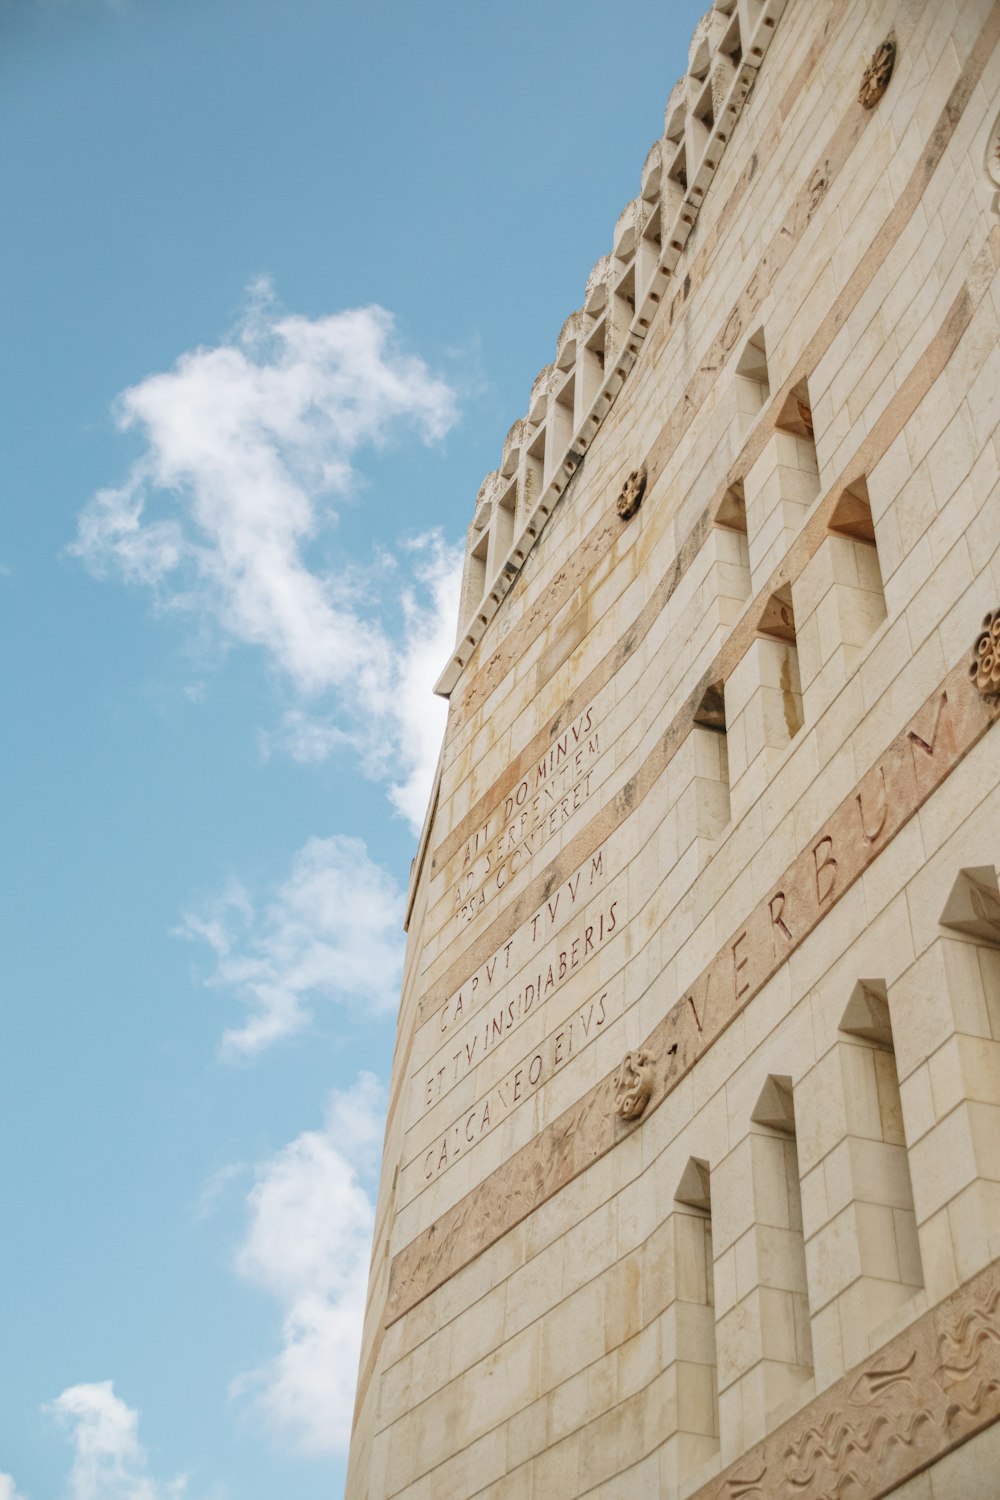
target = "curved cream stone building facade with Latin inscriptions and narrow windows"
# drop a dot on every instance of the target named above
(692, 1178)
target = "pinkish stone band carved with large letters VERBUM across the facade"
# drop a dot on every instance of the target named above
(914, 766)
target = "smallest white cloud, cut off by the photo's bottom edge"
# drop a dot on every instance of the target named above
(110, 1463)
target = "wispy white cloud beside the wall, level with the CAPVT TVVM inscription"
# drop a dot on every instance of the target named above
(331, 932)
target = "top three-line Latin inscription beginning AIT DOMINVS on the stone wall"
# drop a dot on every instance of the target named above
(528, 817)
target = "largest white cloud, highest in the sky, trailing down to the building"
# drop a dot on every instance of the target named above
(250, 448)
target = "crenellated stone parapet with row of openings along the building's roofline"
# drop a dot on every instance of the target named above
(599, 343)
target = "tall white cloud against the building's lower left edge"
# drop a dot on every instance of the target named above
(308, 1246)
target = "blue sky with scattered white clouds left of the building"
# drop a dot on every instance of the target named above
(277, 278)
